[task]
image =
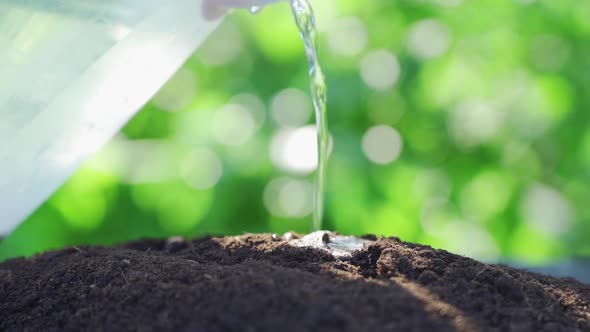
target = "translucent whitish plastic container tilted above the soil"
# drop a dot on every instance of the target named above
(73, 72)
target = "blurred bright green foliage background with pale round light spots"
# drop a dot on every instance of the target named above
(460, 124)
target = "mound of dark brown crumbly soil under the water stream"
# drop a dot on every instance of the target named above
(263, 283)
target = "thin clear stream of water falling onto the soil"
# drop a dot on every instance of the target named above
(305, 19)
